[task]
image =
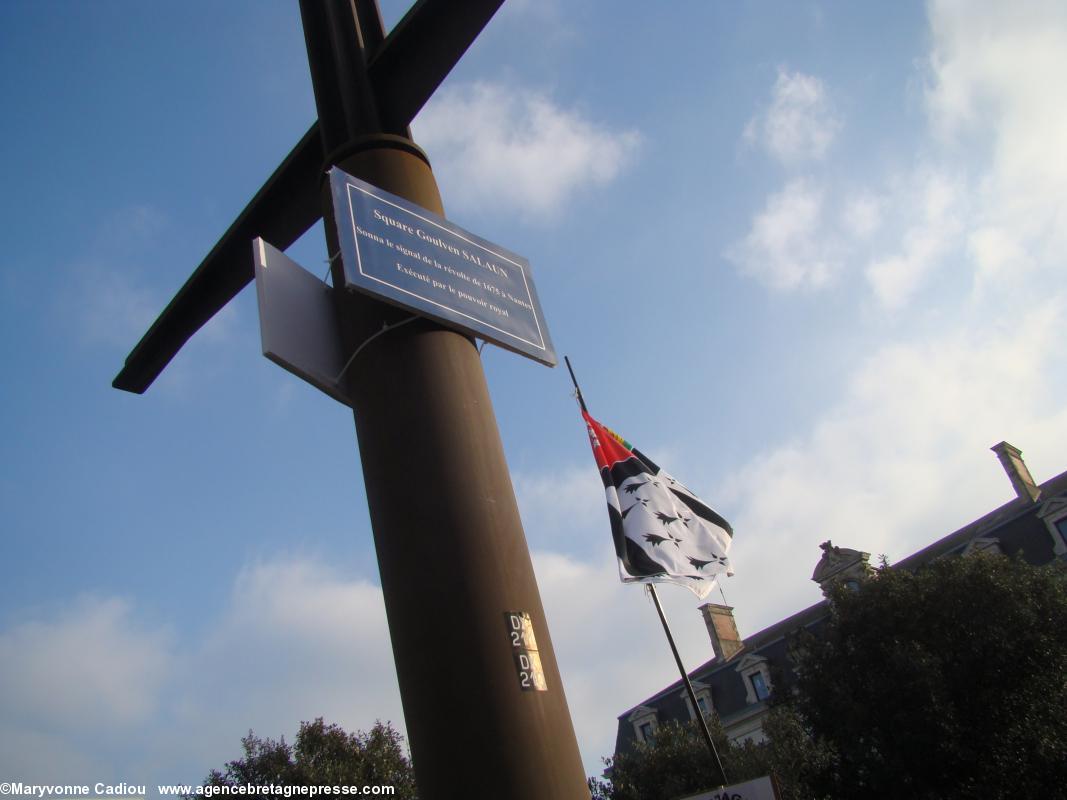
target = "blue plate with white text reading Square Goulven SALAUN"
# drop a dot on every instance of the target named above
(400, 252)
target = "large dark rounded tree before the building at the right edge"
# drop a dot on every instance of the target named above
(950, 682)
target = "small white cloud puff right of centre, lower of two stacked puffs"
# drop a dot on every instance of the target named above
(788, 247)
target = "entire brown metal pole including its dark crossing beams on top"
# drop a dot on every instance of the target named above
(460, 595)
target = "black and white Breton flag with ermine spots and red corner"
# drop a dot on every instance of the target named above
(662, 532)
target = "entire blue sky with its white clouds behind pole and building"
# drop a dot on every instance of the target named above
(809, 257)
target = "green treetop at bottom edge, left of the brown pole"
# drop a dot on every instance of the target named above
(324, 756)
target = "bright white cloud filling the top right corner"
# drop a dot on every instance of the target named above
(996, 77)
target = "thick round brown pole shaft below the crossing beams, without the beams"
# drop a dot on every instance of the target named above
(451, 547)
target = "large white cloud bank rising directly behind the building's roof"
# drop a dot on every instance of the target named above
(902, 459)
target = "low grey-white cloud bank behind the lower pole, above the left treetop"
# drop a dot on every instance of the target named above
(106, 696)
